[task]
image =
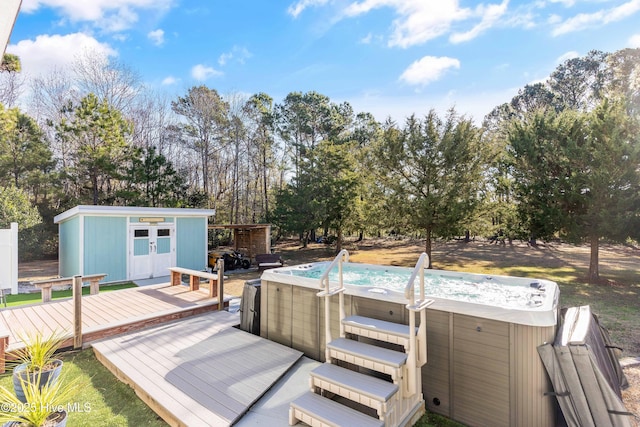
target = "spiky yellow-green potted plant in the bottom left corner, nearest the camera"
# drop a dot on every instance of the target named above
(44, 405)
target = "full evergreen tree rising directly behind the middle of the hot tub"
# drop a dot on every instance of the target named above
(432, 170)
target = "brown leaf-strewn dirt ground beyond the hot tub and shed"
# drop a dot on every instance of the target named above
(619, 264)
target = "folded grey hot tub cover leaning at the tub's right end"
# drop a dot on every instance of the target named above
(585, 373)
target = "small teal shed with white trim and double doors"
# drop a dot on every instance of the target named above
(130, 243)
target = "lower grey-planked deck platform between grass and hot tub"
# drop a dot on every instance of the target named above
(199, 371)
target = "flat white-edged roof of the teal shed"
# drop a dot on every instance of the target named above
(131, 210)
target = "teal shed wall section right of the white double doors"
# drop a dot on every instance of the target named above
(191, 243)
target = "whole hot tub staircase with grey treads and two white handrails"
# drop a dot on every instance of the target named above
(372, 374)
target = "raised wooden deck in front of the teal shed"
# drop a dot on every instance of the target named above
(106, 314)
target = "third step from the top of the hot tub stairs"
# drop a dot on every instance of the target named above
(364, 389)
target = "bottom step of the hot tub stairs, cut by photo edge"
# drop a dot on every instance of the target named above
(318, 411)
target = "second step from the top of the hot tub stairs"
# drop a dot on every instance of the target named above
(368, 356)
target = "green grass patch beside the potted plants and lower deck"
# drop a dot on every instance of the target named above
(101, 400)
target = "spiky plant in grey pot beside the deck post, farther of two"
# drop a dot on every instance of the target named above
(36, 361)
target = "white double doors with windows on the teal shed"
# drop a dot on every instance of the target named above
(152, 250)
